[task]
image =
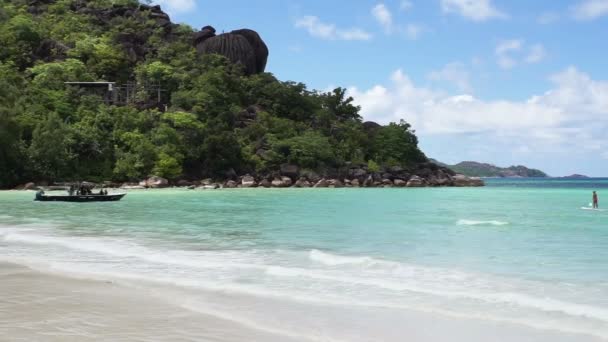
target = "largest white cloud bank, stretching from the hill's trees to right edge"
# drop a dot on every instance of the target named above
(572, 114)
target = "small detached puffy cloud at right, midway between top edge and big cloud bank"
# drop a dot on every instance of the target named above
(512, 52)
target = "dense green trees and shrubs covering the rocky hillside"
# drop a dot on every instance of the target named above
(52, 132)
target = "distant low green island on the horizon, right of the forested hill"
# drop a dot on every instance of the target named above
(476, 169)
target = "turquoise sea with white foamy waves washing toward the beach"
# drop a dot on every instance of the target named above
(519, 252)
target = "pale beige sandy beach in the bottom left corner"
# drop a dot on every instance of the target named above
(37, 306)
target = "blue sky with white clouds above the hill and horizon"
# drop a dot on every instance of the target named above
(504, 82)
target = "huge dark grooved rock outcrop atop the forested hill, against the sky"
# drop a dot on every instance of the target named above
(242, 46)
